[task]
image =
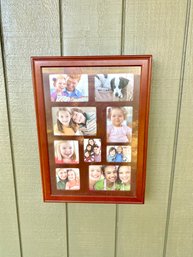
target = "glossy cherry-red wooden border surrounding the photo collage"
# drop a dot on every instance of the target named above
(141, 108)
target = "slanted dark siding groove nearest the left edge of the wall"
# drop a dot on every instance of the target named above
(9, 131)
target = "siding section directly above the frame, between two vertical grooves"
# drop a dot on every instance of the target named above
(91, 27)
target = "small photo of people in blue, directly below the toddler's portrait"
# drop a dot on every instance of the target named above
(119, 153)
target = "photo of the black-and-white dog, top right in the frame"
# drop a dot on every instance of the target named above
(119, 86)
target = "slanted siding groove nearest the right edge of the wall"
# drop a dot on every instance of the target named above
(177, 125)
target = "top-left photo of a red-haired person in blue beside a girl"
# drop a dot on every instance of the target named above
(68, 87)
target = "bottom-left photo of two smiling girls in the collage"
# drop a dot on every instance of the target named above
(67, 179)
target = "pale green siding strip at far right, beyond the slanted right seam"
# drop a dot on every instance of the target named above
(180, 235)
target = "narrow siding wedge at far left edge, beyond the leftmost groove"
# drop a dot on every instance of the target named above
(9, 241)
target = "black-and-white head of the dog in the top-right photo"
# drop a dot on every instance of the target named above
(117, 85)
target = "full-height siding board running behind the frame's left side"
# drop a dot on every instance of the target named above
(31, 28)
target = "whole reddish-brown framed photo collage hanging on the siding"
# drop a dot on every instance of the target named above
(92, 119)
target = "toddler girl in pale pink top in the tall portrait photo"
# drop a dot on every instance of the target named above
(117, 131)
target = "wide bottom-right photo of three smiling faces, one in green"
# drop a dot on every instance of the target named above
(110, 178)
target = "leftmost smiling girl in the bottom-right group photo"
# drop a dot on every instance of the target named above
(95, 174)
